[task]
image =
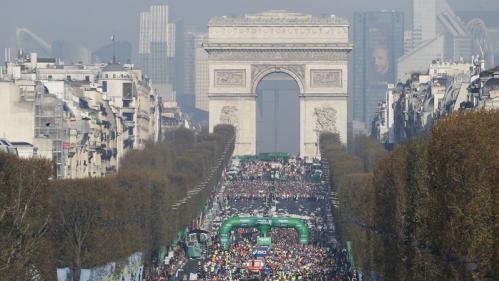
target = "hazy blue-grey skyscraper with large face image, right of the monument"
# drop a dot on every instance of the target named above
(379, 40)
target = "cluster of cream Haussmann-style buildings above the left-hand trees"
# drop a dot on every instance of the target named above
(82, 117)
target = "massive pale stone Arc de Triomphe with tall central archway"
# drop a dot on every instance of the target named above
(312, 50)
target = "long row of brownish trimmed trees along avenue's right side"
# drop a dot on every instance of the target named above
(428, 210)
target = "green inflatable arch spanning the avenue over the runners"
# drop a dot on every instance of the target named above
(263, 224)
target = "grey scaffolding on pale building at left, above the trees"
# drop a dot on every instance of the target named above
(49, 124)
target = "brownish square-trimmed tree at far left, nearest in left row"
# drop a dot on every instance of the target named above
(24, 218)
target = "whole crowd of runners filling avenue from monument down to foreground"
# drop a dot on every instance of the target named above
(288, 185)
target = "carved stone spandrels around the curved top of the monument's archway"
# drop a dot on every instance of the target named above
(259, 71)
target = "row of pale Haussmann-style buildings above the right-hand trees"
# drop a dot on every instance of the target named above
(410, 109)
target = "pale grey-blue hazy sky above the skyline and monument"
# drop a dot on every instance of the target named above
(91, 22)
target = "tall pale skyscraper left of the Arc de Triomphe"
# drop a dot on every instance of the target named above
(157, 50)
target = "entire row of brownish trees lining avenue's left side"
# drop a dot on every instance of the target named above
(88, 222)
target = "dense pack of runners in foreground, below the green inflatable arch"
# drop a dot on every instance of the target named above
(285, 260)
